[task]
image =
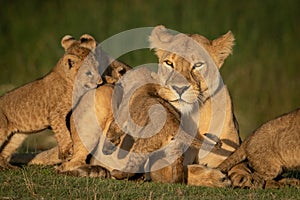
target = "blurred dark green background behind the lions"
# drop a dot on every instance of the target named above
(262, 74)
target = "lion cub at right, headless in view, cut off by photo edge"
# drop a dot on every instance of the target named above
(269, 151)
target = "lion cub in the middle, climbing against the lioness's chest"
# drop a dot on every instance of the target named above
(158, 139)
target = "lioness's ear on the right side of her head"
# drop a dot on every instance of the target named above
(223, 47)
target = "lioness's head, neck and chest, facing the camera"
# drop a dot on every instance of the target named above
(191, 84)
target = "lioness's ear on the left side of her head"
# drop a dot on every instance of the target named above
(159, 38)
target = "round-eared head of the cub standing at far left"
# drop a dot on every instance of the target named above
(79, 64)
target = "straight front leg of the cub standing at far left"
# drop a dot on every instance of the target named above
(63, 136)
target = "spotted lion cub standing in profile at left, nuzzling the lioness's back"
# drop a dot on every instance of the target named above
(46, 102)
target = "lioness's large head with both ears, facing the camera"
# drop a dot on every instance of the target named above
(188, 66)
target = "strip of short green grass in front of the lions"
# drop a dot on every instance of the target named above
(44, 183)
